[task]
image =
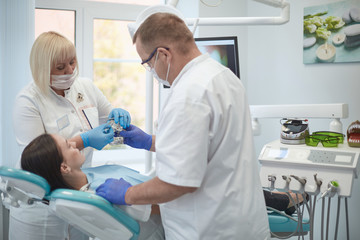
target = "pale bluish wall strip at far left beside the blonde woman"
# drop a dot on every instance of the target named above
(17, 35)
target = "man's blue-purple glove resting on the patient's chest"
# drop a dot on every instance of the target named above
(114, 190)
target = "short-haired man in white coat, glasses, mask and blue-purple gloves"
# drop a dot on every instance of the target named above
(207, 183)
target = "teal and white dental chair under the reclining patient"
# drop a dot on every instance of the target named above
(93, 214)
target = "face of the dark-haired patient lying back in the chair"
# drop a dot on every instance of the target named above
(71, 154)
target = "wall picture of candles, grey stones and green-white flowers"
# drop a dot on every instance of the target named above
(331, 33)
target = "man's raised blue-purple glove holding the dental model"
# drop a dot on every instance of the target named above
(136, 138)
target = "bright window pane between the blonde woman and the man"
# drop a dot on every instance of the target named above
(117, 69)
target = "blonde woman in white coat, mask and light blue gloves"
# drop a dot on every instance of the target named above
(60, 102)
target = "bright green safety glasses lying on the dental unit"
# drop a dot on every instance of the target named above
(327, 139)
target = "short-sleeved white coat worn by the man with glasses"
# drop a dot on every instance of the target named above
(204, 140)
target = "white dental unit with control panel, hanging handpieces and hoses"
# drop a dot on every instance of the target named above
(317, 171)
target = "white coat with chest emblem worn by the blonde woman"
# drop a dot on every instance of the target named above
(35, 114)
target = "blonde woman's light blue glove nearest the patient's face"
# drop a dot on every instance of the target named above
(98, 137)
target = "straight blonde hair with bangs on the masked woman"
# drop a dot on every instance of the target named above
(49, 49)
